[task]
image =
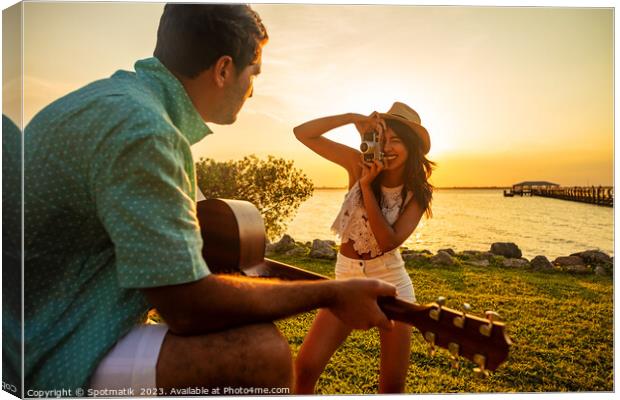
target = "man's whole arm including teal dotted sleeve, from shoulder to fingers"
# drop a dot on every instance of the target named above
(144, 202)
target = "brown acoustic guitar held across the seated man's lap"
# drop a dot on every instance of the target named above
(233, 233)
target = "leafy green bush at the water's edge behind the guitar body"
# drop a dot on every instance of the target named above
(273, 185)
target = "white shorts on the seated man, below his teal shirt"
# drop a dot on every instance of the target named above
(132, 362)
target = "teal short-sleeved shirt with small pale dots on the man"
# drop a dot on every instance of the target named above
(109, 208)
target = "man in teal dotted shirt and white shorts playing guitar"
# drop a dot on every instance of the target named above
(111, 229)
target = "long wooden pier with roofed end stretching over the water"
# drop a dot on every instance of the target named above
(599, 195)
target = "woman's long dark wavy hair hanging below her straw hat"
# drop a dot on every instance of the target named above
(417, 169)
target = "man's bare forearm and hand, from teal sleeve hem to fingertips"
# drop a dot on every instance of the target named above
(219, 302)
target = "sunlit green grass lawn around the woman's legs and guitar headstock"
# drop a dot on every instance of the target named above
(561, 326)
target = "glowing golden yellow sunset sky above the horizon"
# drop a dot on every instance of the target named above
(507, 94)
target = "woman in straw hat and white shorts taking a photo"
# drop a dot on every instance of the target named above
(385, 202)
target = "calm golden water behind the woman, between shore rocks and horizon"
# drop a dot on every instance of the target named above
(473, 219)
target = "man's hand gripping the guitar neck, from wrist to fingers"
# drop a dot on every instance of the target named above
(356, 303)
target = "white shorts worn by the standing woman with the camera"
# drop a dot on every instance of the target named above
(388, 267)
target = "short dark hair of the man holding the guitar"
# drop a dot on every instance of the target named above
(192, 37)
